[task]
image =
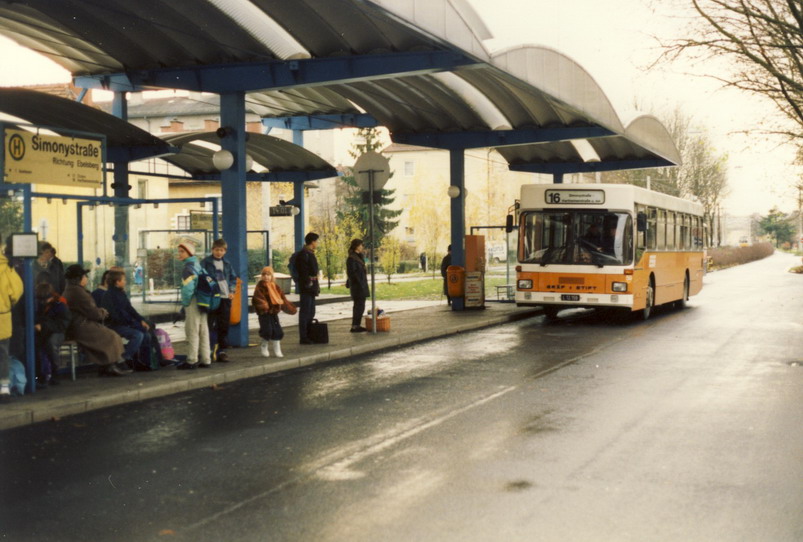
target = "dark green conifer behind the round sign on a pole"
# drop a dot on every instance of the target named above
(385, 220)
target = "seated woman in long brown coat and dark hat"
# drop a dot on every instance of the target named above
(100, 344)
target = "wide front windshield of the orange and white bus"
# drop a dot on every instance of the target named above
(577, 238)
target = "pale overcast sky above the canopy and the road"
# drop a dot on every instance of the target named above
(614, 41)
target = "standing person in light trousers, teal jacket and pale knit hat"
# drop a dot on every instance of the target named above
(196, 326)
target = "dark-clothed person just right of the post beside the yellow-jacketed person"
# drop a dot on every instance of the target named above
(51, 320)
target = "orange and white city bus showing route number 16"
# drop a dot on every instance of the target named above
(607, 245)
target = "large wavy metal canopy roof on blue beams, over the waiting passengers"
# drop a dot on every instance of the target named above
(418, 67)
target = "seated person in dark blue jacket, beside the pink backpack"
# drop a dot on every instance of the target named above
(127, 322)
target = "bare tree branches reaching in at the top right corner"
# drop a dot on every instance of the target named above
(764, 41)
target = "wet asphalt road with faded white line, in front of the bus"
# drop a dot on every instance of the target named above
(686, 427)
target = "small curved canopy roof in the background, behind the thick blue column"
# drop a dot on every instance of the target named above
(271, 153)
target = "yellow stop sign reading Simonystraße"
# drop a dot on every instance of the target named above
(35, 158)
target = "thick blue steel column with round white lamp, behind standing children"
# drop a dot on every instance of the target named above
(232, 185)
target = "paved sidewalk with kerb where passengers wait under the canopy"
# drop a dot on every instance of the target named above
(408, 325)
